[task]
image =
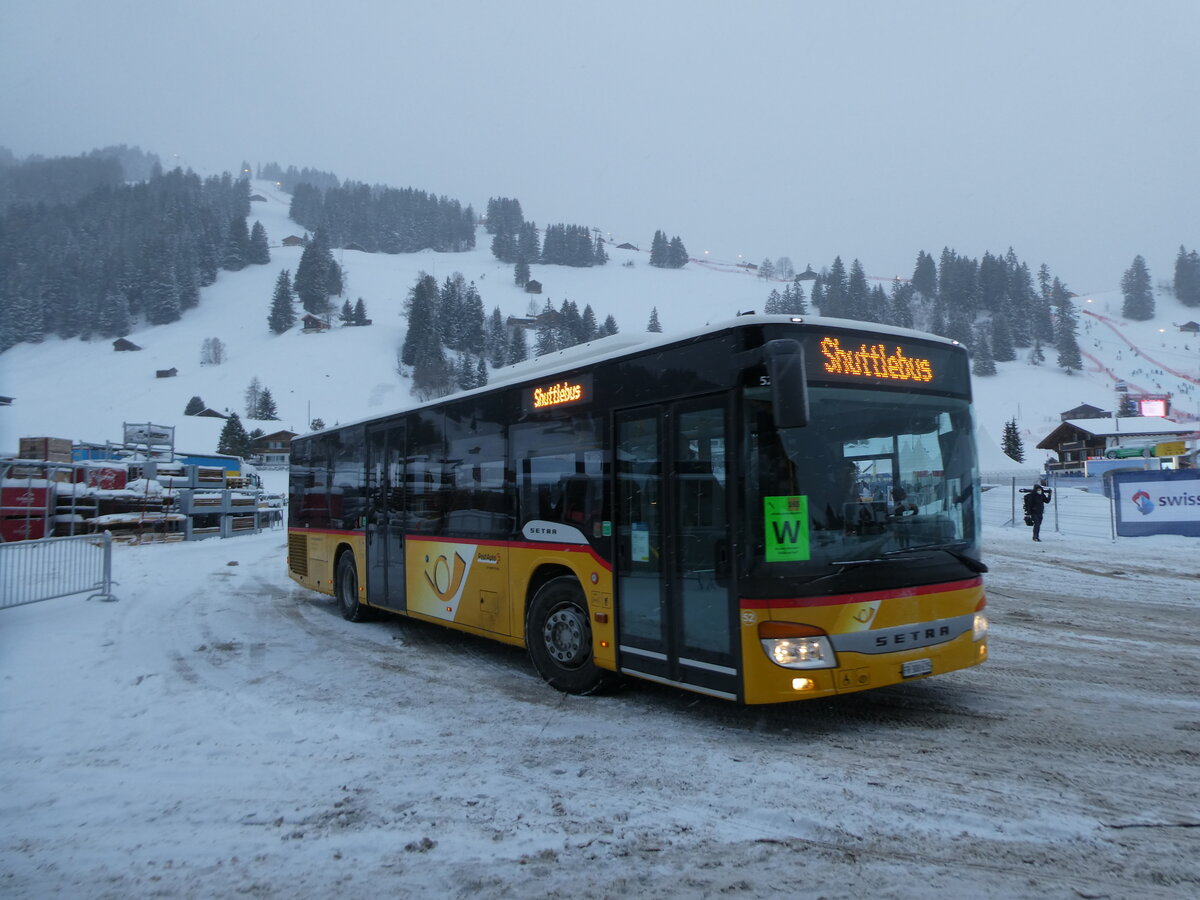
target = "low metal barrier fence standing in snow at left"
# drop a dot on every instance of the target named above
(56, 567)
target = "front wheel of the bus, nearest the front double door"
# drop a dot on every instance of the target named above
(560, 639)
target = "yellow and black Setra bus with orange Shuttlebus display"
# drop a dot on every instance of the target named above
(769, 509)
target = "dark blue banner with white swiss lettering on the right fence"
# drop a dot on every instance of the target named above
(1157, 503)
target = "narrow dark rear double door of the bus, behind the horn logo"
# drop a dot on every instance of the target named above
(386, 518)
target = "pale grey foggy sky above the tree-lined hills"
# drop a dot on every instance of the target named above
(1067, 130)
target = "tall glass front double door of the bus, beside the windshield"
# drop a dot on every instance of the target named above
(675, 597)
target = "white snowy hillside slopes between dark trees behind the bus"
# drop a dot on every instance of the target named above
(86, 391)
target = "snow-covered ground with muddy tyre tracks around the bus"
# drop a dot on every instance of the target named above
(221, 731)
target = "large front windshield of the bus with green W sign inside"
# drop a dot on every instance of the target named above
(878, 482)
